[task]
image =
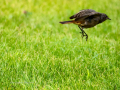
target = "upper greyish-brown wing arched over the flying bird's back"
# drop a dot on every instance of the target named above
(84, 14)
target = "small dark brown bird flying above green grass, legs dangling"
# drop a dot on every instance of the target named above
(87, 18)
